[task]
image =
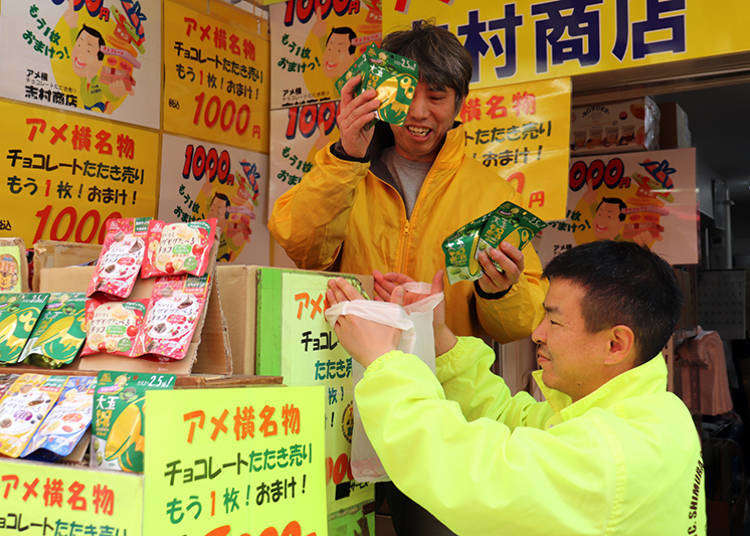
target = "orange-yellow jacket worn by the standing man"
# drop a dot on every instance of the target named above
(343, 202)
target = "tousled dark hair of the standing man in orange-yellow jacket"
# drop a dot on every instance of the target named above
(443, 61)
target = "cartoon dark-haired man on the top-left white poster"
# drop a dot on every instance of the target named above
(87, 57)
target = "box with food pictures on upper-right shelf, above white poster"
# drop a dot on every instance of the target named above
(614, 127)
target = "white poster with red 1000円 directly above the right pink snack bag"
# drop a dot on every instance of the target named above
(205, 180)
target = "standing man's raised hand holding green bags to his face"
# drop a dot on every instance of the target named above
(355, 115)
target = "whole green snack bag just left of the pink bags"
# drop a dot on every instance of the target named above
(58, 334)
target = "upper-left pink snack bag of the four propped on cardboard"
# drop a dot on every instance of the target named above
(121, 257)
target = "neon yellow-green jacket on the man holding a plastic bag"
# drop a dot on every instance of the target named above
(624, 460)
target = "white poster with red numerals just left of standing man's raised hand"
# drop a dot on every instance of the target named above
(297, 133)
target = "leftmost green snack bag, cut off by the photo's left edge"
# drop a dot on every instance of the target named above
(18, 316)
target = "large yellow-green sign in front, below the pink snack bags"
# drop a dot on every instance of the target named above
(228, 462)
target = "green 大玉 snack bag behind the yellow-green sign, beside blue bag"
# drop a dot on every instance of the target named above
(117, 427)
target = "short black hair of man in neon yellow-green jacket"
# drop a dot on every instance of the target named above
(626, 284)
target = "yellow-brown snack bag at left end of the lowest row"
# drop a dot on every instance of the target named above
(24, 407)
